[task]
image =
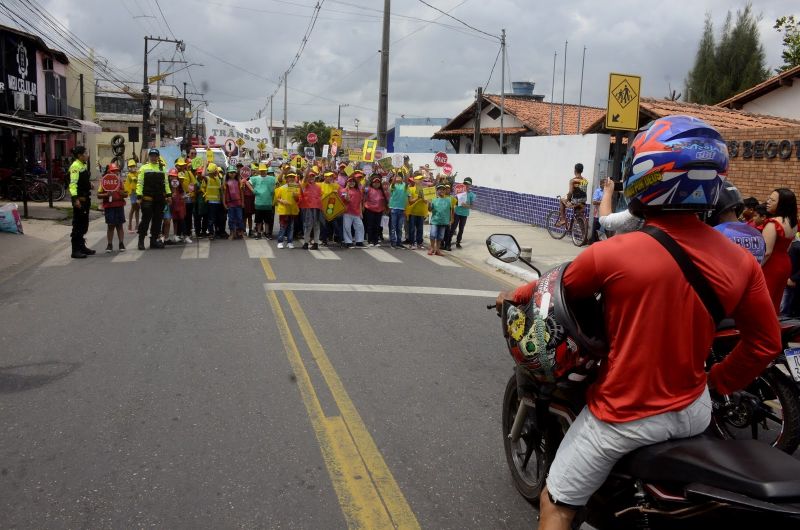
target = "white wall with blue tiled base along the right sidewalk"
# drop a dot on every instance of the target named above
(523, 186)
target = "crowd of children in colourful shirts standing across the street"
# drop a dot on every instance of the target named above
(321, 202)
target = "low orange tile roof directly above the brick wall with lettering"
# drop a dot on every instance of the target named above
(719, 117)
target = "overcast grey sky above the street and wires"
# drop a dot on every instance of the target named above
(434, 69)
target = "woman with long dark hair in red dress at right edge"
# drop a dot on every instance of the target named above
(779, 232)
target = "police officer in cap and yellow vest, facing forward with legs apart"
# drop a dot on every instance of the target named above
(153, 190)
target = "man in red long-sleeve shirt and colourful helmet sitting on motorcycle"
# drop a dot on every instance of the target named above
(652, 387)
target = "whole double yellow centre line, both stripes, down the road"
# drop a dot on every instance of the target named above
(368, 494)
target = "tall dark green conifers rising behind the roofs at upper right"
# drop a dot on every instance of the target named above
(739, 60)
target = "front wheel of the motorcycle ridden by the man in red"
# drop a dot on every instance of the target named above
(528, 478)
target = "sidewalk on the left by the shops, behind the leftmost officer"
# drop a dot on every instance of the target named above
(45, 229)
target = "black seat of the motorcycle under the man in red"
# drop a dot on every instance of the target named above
(748, 467)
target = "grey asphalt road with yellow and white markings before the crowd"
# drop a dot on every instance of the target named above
(230, 384)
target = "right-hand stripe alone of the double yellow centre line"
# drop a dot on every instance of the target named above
(393, 499)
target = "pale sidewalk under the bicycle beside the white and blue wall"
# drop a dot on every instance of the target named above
(546, 252)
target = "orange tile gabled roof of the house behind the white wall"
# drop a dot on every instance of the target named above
(534, 115)
